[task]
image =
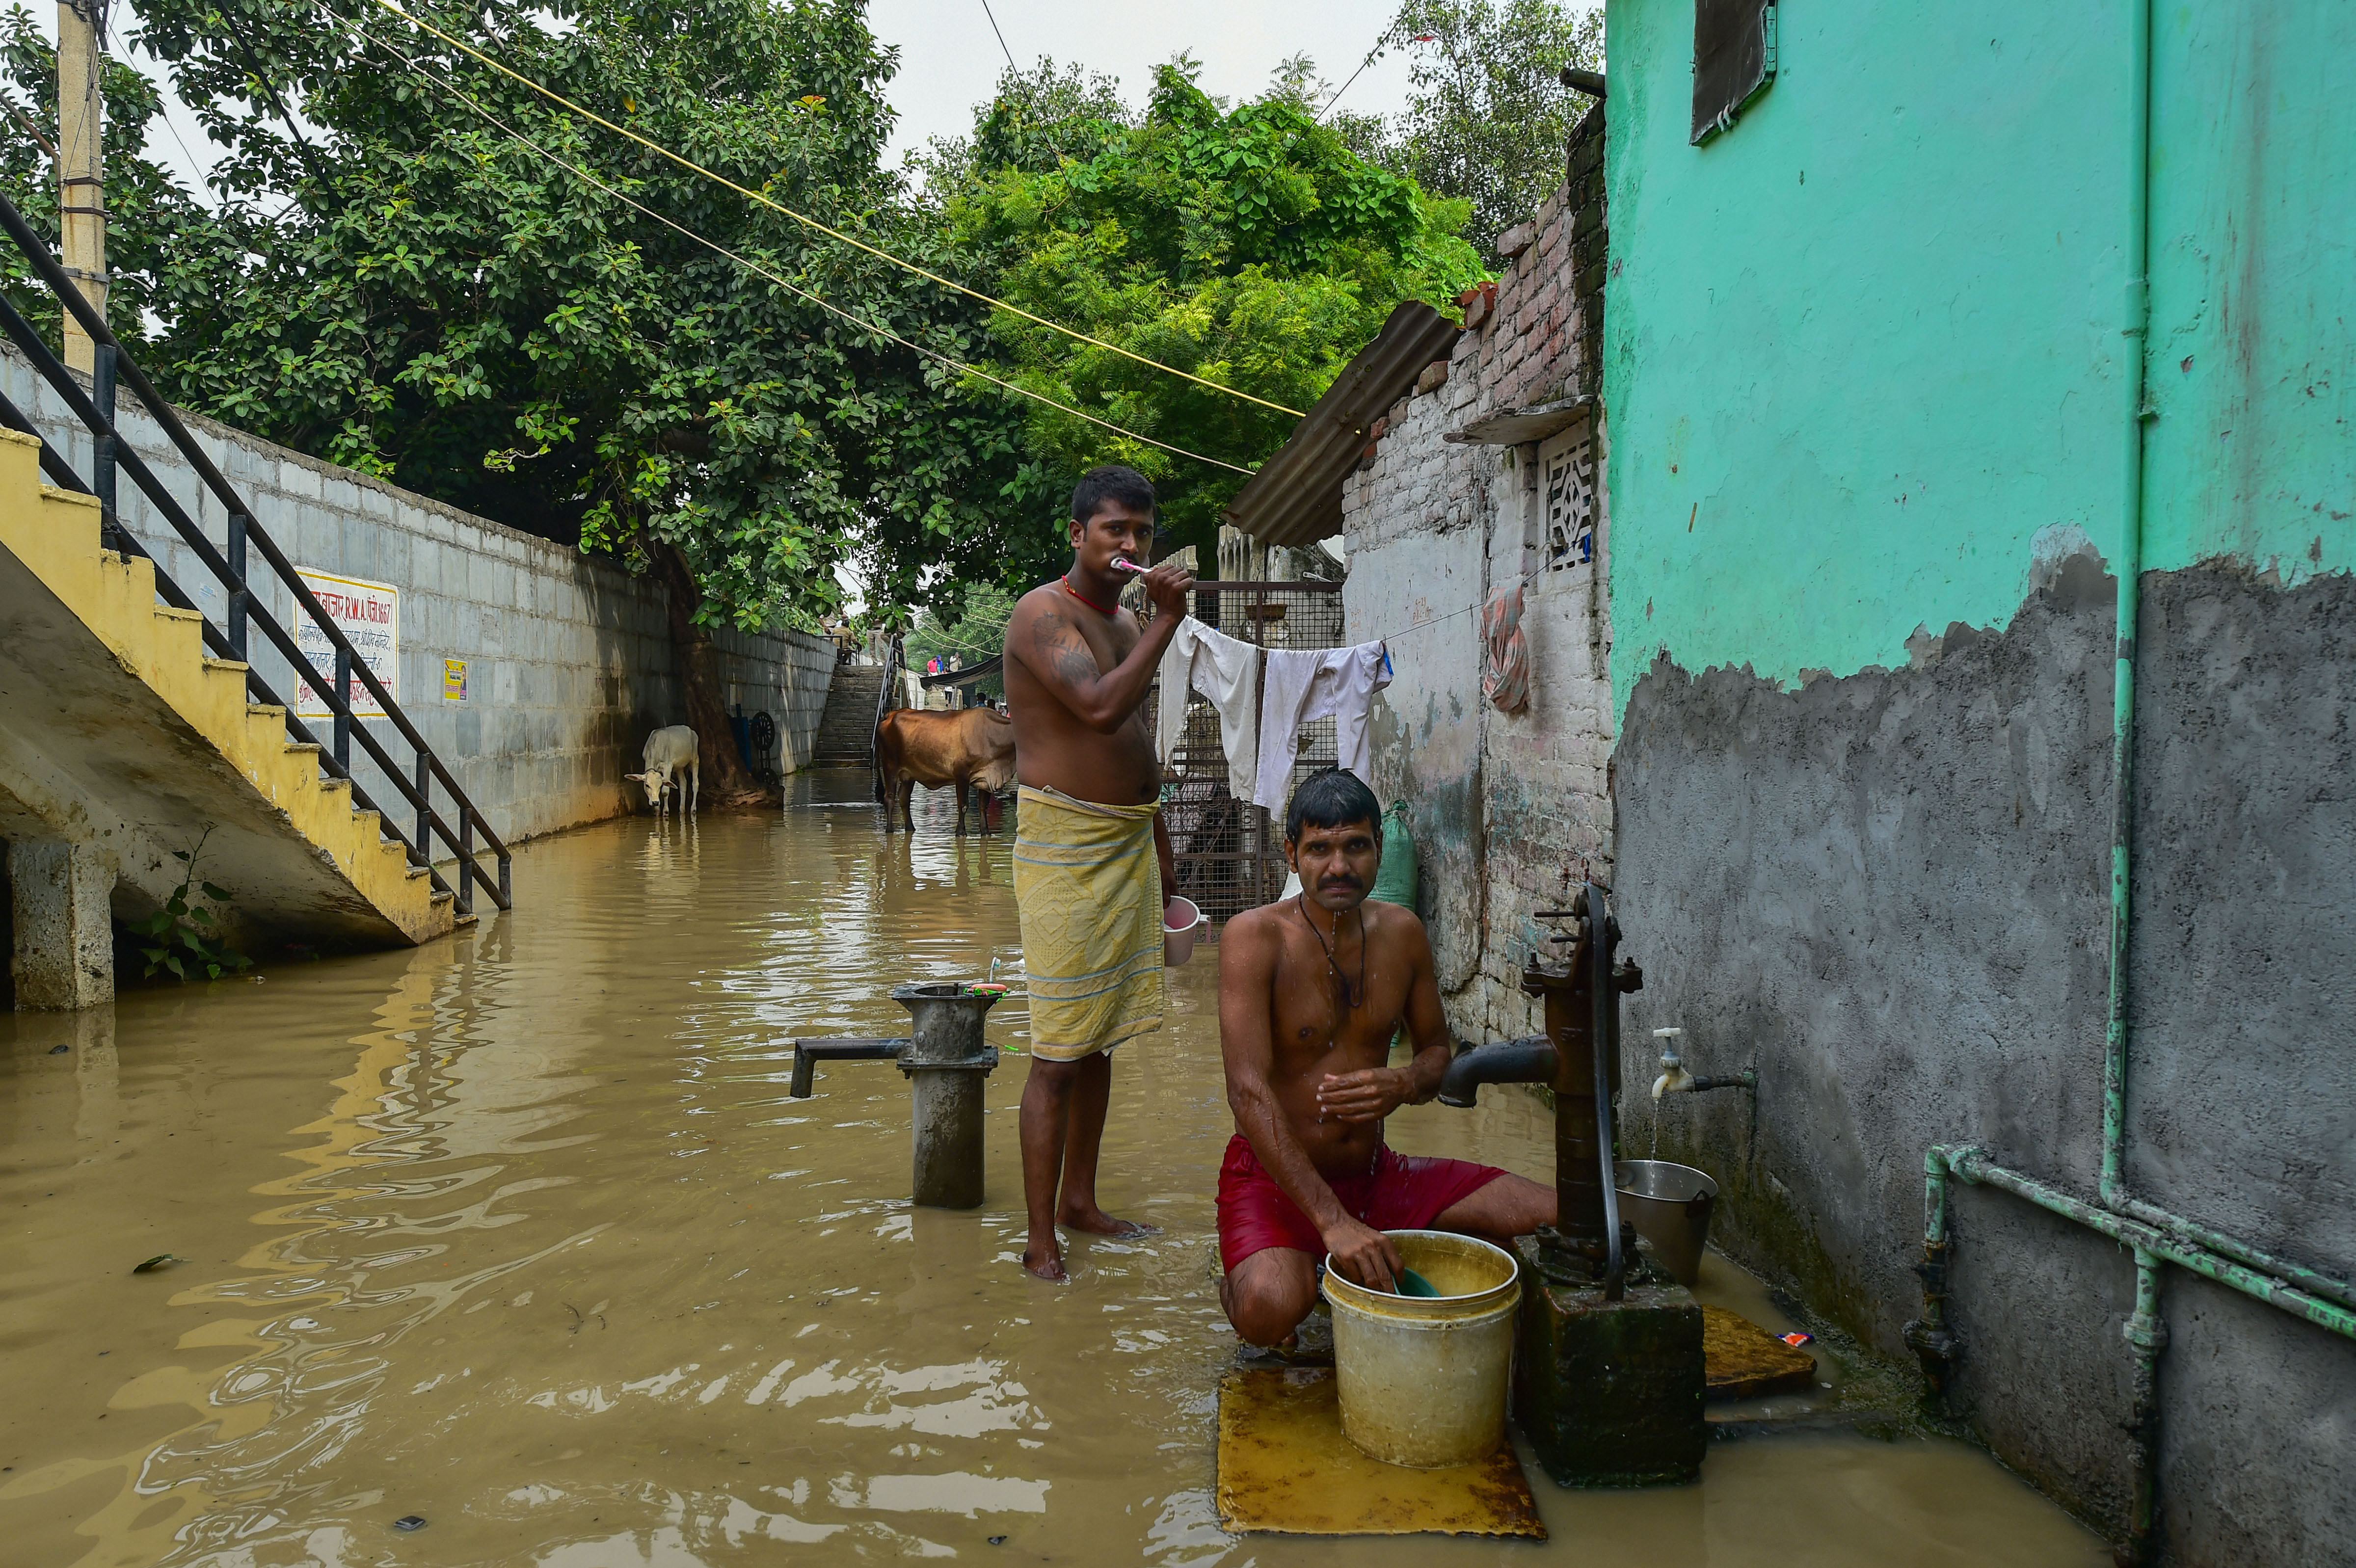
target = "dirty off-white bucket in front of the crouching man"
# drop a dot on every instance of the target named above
(1424, 1381)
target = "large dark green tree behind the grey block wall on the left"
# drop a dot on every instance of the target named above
(456, 312)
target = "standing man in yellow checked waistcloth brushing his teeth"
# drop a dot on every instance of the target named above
(1092, 856)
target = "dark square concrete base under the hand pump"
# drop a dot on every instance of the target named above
(1610, 1393)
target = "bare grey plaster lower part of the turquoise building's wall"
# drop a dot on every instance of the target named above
(1891, 896)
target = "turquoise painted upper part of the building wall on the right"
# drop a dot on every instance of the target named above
(1867, 347)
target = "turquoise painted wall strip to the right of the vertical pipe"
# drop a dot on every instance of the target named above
(2254, 286)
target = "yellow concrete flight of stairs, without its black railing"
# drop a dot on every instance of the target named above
(119, 731)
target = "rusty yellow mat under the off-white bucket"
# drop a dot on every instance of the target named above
(1285, 1468)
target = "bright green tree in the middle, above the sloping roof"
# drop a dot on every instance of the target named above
(1248, 246)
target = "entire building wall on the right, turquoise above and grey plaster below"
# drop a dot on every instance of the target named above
(1869, 458)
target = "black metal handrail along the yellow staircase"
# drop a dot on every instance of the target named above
(244, 609)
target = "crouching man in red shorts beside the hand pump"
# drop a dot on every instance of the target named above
(1311, 992)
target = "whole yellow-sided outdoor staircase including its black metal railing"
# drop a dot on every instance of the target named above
(133, 726)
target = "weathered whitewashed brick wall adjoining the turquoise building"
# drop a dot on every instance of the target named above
(1504, 806)
